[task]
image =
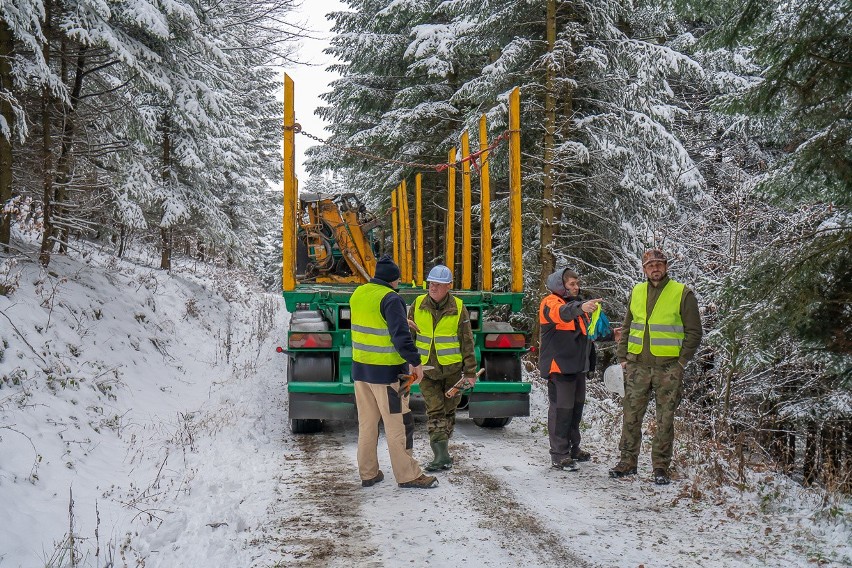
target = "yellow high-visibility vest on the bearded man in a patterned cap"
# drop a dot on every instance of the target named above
(665, 326)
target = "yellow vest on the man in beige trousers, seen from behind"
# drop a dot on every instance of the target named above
(371, 340)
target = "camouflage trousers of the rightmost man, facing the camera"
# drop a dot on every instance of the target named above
(667, 384)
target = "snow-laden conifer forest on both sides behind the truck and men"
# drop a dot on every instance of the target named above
(719, 131)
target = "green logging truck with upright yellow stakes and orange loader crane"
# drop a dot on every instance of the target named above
(329, 248)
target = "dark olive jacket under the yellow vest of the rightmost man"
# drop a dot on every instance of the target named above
(691, 327)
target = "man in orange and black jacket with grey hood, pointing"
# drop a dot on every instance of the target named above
(564, 359)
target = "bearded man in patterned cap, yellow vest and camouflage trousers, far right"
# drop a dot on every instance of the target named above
(661, 333)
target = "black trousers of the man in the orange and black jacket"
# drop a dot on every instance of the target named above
(567, 397)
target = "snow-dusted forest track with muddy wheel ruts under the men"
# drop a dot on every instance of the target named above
(501, 506)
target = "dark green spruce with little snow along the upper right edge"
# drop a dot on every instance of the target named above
(800, 286)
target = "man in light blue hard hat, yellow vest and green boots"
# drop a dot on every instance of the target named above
(444, 340)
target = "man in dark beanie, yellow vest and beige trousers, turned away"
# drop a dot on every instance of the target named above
(383, 351)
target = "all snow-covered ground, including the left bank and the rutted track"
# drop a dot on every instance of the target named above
(143, 421)
